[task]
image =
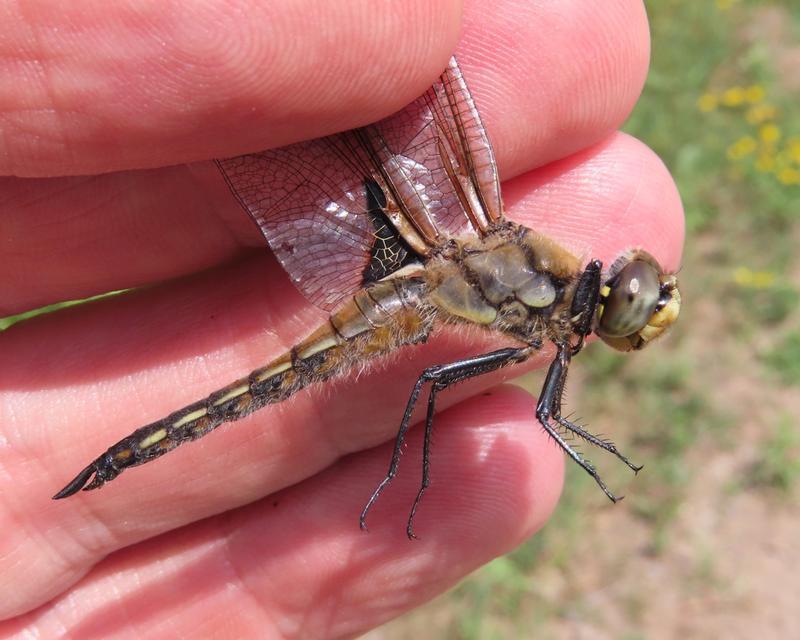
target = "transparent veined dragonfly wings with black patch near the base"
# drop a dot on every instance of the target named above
(428, 168)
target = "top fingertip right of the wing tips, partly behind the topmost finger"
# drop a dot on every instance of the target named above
(551, 78)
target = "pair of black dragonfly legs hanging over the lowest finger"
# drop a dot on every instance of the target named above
(441, 377)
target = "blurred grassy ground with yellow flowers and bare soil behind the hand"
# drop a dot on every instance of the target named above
(706, 542)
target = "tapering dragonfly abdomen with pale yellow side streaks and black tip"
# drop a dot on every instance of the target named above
(375, 321)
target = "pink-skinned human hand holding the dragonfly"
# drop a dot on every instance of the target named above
(253, 531)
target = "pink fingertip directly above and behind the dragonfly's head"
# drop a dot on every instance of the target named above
(603, 200)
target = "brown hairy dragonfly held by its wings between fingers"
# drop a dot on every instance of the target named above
(396, 229)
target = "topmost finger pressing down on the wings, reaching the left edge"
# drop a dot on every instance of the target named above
(122, 85)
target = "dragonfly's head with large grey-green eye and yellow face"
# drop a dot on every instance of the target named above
(638, 302)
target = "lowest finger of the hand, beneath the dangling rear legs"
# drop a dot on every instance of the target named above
(298, 561)
